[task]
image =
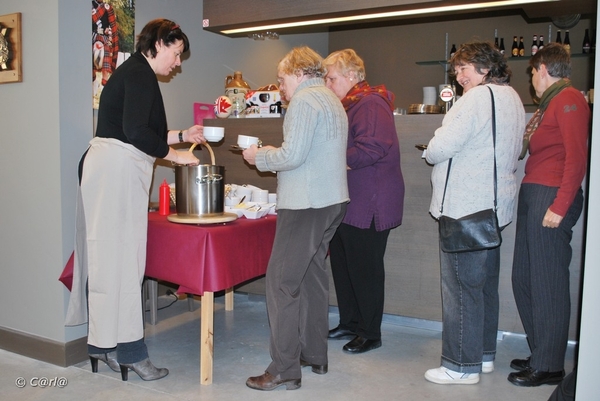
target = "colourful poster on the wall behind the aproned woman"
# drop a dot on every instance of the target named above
(113, 27)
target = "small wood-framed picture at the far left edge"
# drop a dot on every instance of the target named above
(10, 48)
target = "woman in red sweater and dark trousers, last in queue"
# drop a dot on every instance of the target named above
(550, 203)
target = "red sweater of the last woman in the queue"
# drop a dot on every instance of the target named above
(558, 150)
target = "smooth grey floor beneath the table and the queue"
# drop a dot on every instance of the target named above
(392, 372)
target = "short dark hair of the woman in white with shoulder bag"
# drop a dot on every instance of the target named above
(483, 55)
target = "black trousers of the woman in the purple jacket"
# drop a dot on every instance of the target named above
(359, 276)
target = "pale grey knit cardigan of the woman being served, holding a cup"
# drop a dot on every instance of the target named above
(311, 162)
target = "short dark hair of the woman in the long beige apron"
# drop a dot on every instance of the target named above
(157, 30)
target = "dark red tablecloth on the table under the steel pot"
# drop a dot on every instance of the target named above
(202, 258)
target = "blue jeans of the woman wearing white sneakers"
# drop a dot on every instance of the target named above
(469, 308)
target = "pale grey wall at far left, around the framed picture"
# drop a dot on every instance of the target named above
(45, 123)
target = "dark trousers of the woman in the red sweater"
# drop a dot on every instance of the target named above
(540, 275)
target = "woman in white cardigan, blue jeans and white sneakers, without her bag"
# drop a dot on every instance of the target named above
(470, 279)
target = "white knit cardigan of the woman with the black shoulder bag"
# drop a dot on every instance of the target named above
(466, 137)
